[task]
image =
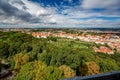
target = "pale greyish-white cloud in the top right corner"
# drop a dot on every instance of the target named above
(108, 4)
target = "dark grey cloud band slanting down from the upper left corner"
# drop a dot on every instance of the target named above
(8, 10)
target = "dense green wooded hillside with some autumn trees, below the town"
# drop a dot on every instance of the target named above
(52, 58)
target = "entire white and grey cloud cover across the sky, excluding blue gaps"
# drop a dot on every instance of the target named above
(48, 16)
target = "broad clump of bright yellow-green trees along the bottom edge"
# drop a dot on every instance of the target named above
(37, 70)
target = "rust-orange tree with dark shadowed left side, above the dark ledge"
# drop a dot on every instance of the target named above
(89, 68)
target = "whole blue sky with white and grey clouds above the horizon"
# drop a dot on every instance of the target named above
(60, 13)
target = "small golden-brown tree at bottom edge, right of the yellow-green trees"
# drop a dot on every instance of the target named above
(67, 71)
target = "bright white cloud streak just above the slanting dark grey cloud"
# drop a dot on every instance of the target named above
(32, 8)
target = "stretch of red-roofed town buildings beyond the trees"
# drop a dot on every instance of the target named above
(111, 39)
